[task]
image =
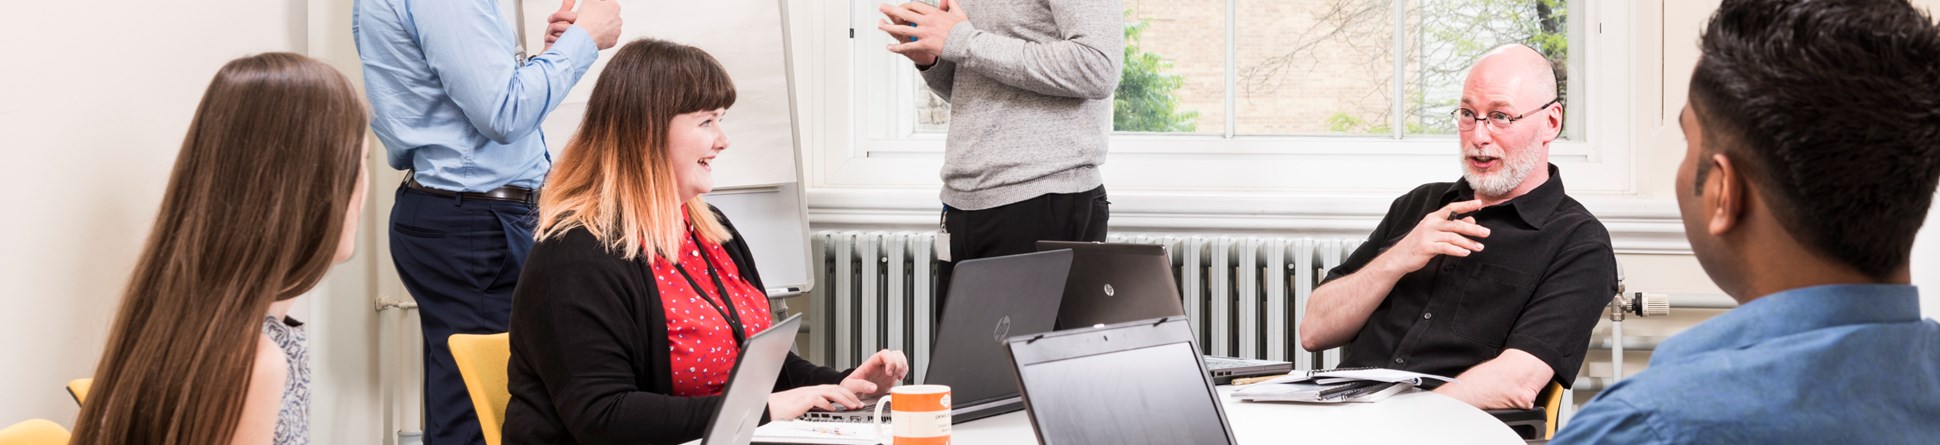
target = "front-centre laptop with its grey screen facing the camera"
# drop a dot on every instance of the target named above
(1122, 384)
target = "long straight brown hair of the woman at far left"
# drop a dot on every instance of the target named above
(253, 215)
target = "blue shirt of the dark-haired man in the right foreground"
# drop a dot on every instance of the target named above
(1828, 364)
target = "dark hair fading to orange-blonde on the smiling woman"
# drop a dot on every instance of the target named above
(616, 178)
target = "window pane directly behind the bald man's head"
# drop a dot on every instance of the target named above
(1452, 34)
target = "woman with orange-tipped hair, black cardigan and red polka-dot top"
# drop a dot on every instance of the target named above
(637, 296)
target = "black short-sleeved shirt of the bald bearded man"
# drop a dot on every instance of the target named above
(1539, 287)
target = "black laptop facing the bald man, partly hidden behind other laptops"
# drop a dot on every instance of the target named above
(1118, 283)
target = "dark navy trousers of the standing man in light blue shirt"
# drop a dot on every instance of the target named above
(461, 259)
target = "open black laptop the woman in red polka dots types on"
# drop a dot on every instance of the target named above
(990, 302)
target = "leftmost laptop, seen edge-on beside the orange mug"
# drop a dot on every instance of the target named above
(746, 395)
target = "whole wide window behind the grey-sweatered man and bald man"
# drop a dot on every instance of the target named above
(1309, 67)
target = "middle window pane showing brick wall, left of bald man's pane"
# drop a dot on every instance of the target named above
(1314, 67)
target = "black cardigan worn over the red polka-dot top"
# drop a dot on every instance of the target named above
(591, 351)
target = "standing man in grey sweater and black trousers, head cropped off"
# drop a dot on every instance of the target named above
(1031, 108)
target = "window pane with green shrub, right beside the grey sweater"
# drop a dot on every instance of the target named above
(1175, 77)
